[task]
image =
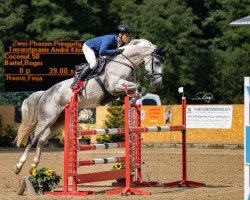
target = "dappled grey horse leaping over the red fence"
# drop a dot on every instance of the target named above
(41, 110)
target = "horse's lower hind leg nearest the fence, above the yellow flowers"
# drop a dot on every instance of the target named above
(40, 143)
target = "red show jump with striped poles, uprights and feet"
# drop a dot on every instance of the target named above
(132, 172)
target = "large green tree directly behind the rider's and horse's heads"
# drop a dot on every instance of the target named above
(168, 23)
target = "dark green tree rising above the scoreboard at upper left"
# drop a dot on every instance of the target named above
(40, 20)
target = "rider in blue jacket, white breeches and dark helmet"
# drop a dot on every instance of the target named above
(105, 45)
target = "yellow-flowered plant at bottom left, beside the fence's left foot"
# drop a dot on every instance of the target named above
(44, 179)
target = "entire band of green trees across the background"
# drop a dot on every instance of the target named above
(205, 54)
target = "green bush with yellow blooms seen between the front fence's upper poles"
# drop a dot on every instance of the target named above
(115, 119)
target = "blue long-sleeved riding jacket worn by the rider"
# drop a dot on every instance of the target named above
(103, 45)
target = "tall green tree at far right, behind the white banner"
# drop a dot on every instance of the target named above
(230, 49)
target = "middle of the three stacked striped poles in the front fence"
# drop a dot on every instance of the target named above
(101, 146)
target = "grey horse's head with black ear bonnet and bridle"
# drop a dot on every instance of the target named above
(154, 65)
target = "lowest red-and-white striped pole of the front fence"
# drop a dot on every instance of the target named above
(101, 161)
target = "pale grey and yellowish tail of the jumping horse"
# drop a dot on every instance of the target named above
(29, 118)
